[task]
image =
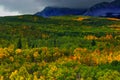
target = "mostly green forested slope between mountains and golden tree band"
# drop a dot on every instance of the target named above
(60, 32)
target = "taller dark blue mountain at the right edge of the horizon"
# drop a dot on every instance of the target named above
(111, 9)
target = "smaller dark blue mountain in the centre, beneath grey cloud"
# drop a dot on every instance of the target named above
(53, 11)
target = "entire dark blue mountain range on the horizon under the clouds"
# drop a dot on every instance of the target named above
(104, 9)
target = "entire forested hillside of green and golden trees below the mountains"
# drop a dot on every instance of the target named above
(59, 48)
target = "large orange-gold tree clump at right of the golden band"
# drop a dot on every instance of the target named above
(96, 57)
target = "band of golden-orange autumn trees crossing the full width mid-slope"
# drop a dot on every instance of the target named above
(79, 54)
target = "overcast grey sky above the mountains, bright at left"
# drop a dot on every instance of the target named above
(17, 7)
